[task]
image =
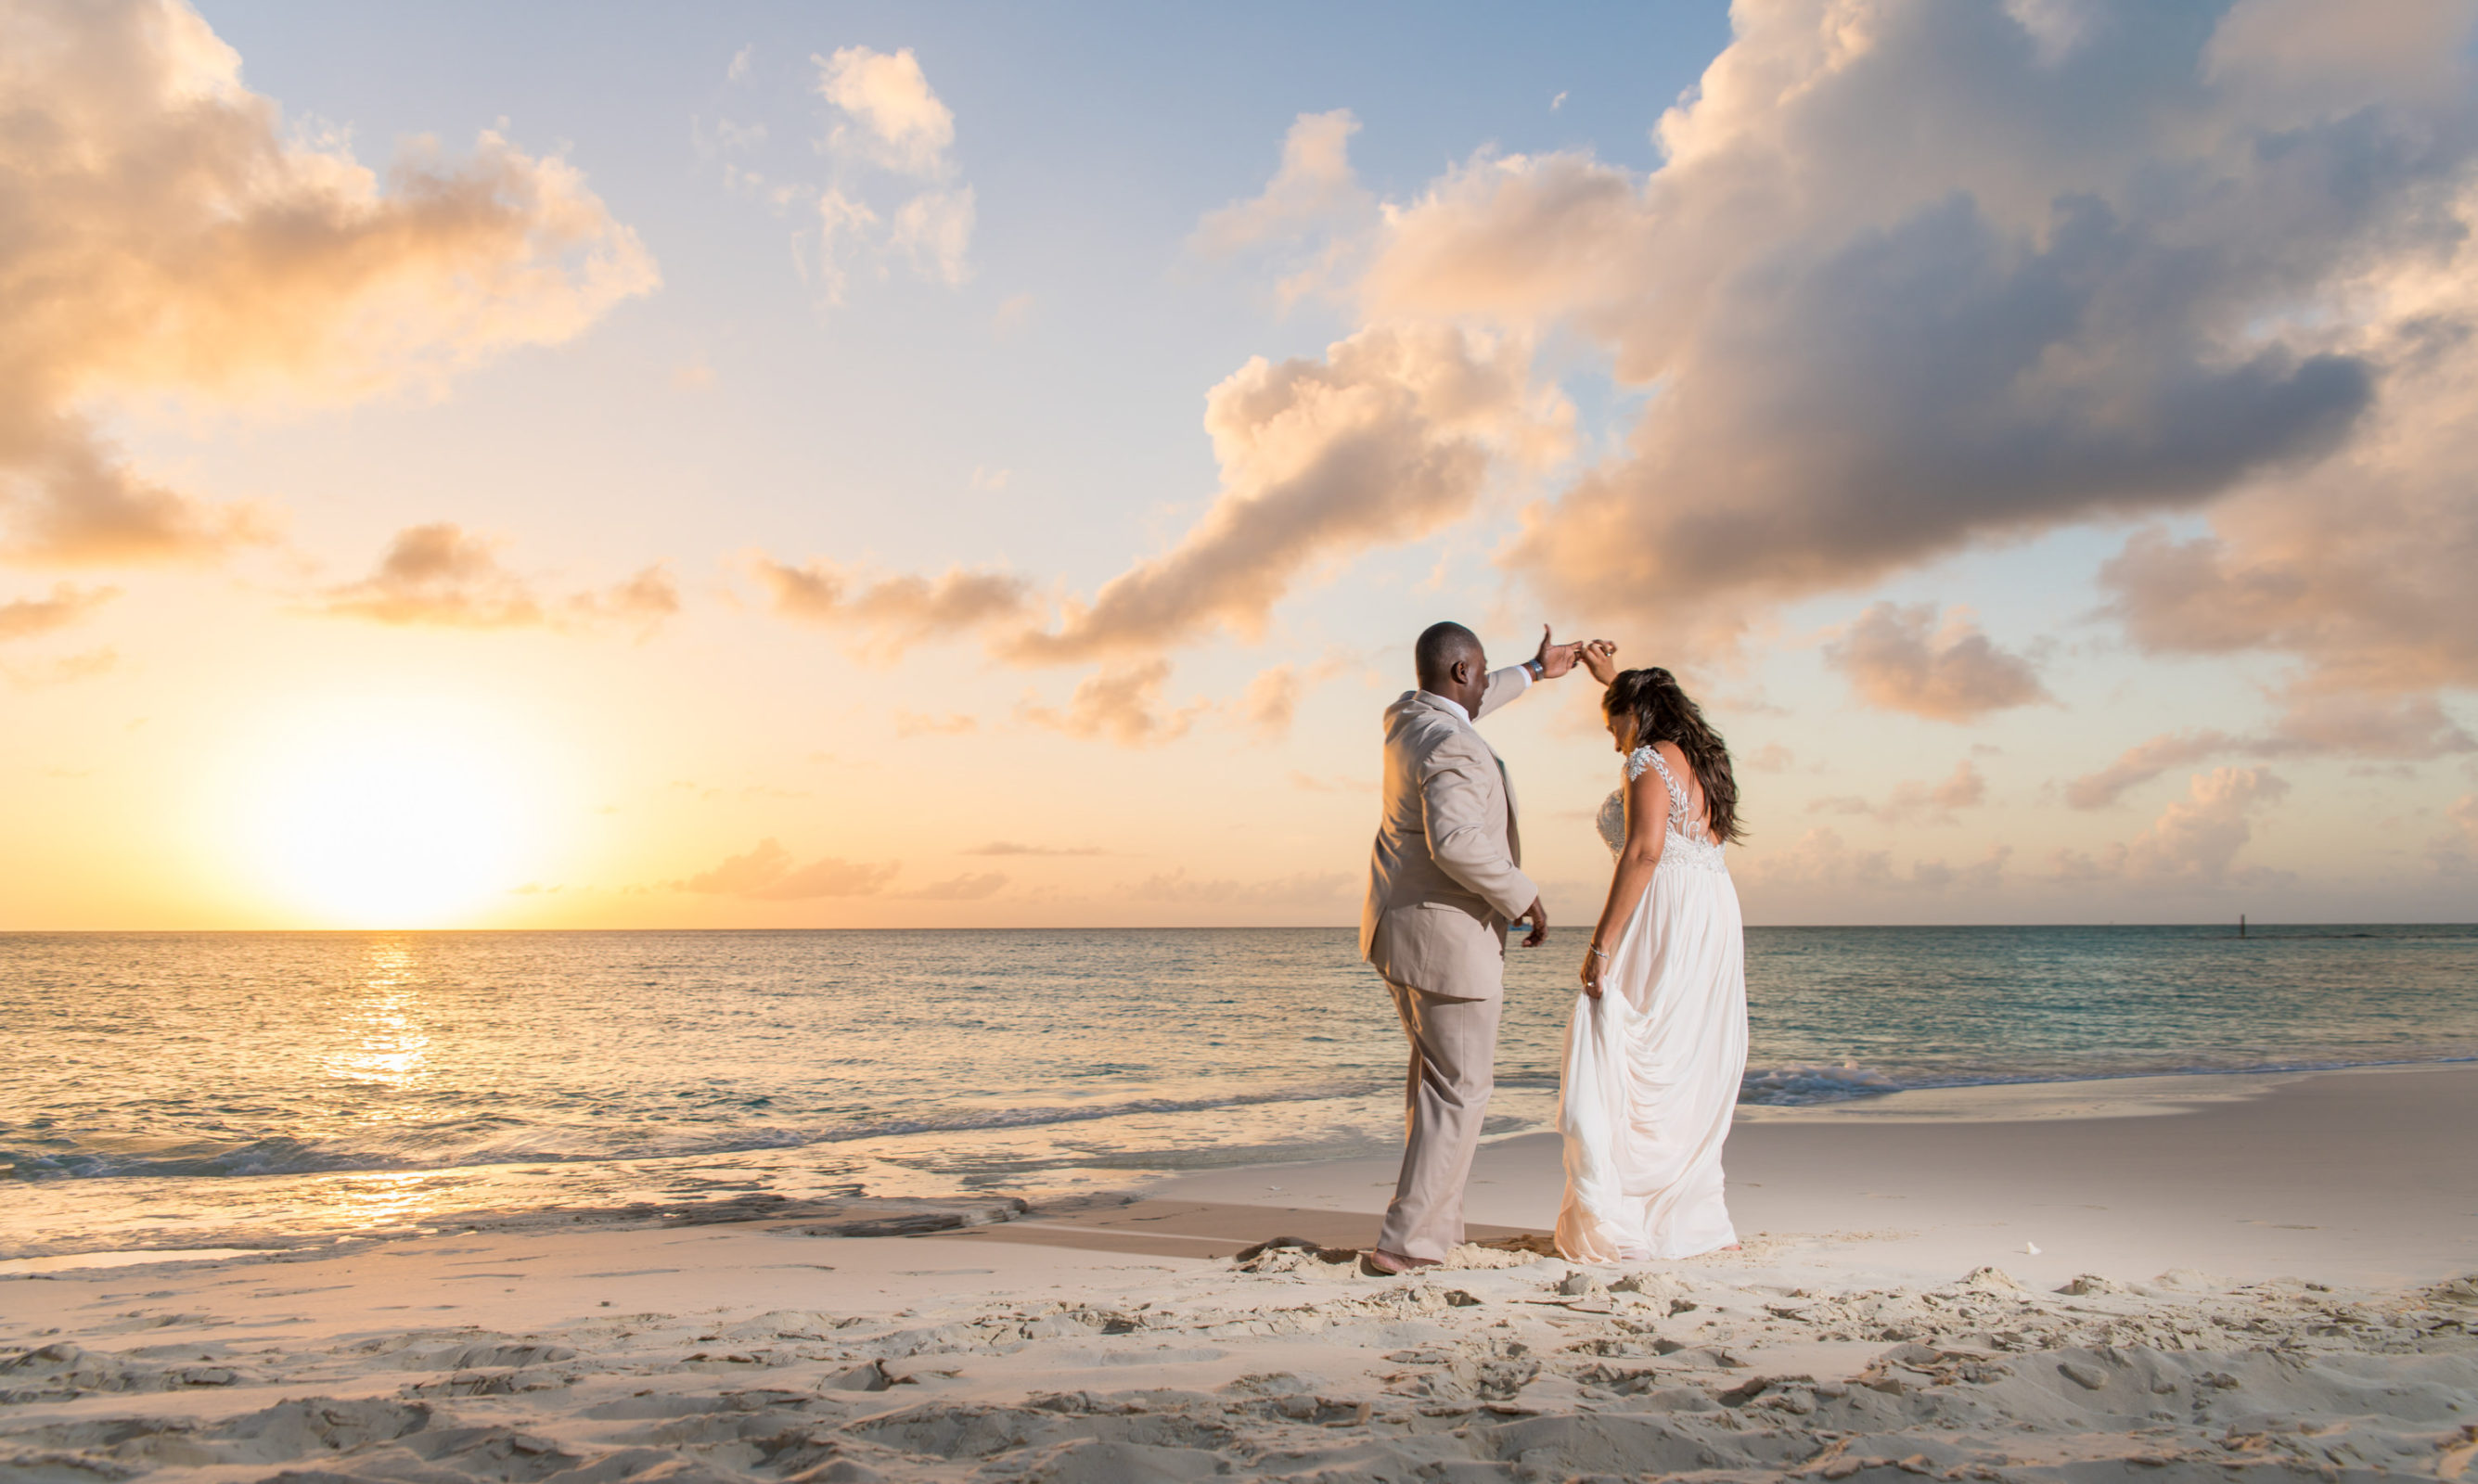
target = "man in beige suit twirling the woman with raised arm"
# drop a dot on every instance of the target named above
(1443, 888)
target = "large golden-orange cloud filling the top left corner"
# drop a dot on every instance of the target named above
(172, 234)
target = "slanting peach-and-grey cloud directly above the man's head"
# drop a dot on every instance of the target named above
(1384, 440)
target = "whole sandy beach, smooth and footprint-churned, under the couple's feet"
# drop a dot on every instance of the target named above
(2174, 1277)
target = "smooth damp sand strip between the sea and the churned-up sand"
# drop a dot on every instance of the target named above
(2353, 1176)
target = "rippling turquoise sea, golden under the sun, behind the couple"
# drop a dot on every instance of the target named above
(274, 1089)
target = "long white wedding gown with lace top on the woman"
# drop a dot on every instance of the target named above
(1654, 1064)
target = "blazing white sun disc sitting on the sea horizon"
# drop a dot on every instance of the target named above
(385, 814)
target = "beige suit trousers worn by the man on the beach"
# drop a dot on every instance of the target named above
(1453, 1067)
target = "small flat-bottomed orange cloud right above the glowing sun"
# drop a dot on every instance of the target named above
(452, 578)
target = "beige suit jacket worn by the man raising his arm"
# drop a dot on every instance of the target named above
(1446, 876)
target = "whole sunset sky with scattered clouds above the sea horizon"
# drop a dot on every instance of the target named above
(985, 467)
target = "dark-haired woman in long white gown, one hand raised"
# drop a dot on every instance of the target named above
(1659, 1037)
